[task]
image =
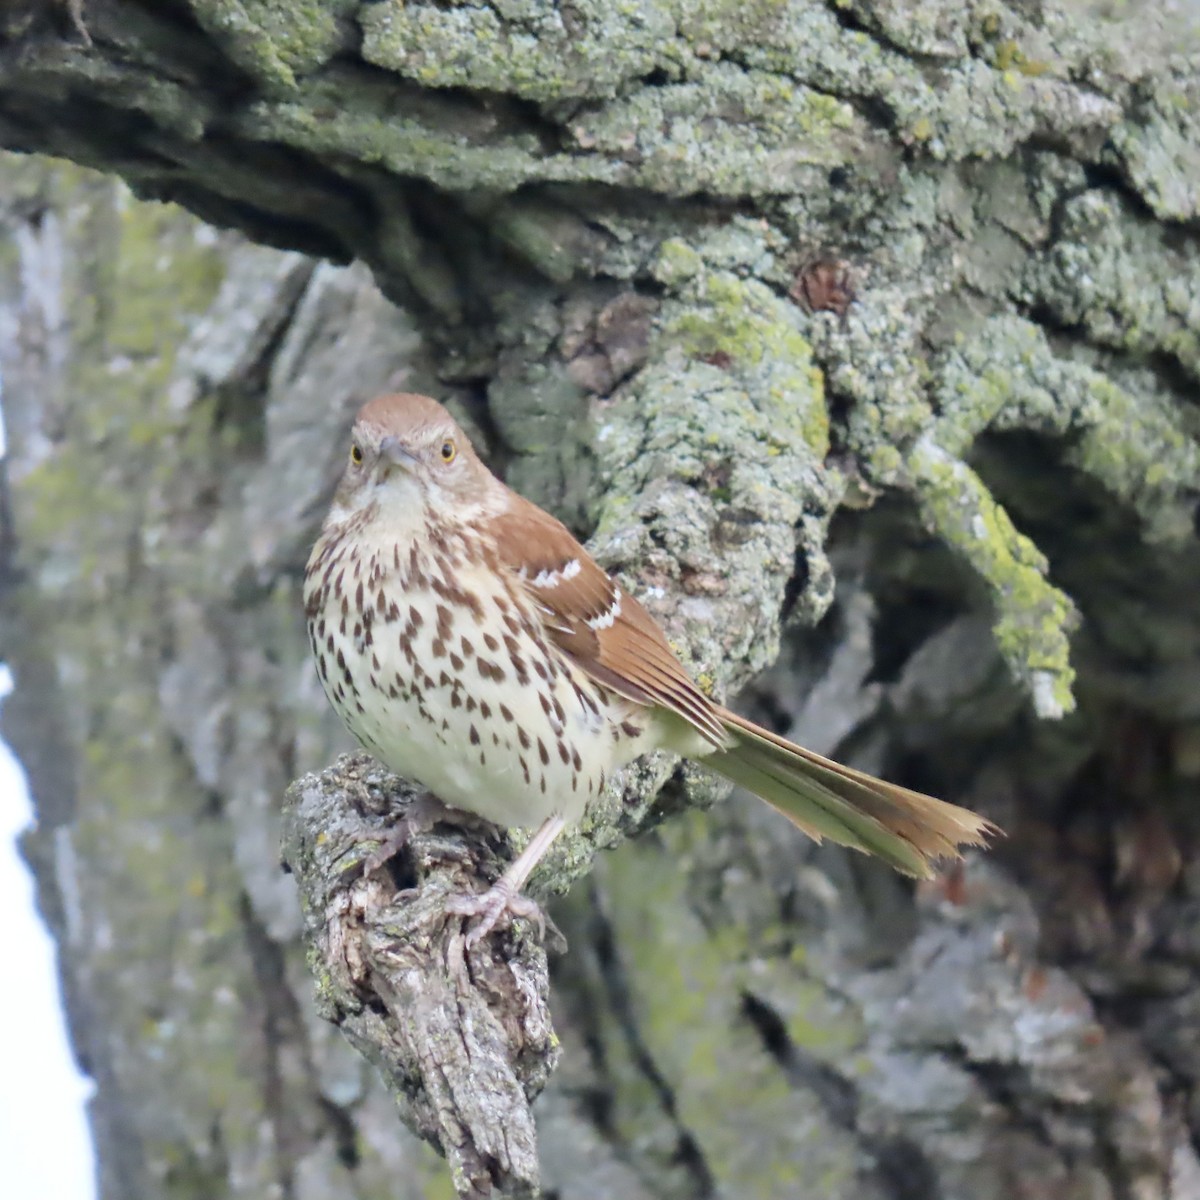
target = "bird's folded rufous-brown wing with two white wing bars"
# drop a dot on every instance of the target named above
(596, 622)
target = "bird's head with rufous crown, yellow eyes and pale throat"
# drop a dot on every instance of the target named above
(409, 455)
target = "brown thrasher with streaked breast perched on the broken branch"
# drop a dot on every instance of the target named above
(476, 647)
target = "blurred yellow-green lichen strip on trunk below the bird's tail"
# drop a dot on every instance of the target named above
(761, 1137)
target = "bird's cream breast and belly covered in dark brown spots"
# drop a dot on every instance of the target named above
(437, 659)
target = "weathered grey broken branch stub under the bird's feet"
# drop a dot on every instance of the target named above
(463, 1039)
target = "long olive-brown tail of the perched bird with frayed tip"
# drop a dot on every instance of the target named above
(827, 800)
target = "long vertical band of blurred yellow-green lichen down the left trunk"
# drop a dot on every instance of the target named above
(137, 278)
